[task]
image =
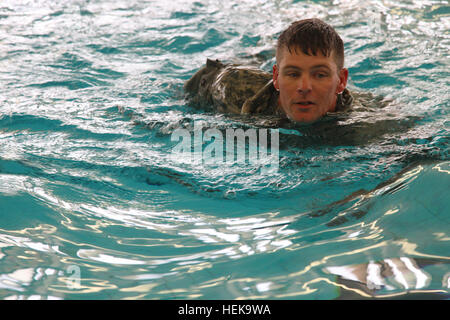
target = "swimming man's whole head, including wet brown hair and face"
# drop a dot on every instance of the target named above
(309, 72)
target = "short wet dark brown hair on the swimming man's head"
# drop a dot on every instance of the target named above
(312, 36)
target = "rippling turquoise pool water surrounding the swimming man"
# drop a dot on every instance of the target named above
(92, 206)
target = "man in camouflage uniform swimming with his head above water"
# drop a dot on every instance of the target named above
(308, 81)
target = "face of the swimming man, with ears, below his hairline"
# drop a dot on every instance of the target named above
(308, 84)
